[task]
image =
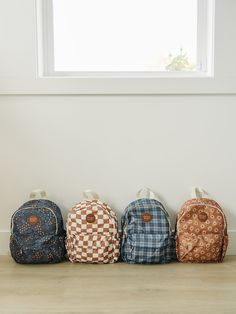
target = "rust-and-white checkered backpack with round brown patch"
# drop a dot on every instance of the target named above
(92, 232)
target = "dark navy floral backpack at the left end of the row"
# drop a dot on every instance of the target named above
(37, 234)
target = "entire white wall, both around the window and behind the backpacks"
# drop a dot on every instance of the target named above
(113, 144)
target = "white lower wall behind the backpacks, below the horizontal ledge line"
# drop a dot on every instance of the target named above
(115, 145)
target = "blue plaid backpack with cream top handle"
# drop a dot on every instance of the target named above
(147, 236)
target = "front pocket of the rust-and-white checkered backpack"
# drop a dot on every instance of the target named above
(90, 248)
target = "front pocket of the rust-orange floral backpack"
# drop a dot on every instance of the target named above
(200, 248)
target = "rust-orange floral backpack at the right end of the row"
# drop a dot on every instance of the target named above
(201, 230)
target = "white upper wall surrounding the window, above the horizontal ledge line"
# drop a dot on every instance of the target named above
(18, 60)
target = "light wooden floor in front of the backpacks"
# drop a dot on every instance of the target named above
(118, 288)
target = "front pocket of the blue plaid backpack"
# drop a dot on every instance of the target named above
(148, 248)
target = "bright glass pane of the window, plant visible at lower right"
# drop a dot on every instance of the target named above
(125, 35)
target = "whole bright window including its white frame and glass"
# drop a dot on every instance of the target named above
(147, 38)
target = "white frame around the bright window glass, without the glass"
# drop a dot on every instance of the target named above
(205, 49)
